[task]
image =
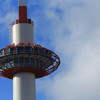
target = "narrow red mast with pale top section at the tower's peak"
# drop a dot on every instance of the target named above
(22, 9)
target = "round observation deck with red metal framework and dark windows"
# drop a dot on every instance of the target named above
(27, 58)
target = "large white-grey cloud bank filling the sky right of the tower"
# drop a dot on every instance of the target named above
(75, 33)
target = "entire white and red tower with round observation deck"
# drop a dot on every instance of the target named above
(23, 61)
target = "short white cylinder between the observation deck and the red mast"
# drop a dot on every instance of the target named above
(22, 33)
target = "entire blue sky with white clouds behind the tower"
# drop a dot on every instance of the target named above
(72, 30)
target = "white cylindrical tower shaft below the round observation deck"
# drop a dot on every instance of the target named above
(24, 86)
